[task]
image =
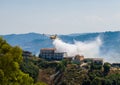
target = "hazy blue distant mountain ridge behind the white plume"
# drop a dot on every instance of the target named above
(34, 41)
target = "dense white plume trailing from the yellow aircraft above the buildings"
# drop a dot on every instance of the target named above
(88, 49)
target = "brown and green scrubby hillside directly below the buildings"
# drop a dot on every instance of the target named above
(68, 73)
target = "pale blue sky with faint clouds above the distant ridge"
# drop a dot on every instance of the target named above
(59, 16)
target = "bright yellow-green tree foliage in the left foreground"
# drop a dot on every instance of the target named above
(10, 60)
